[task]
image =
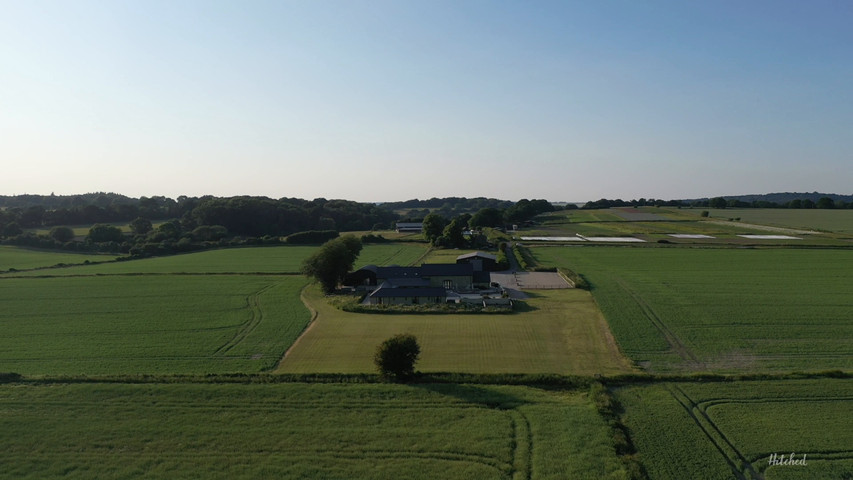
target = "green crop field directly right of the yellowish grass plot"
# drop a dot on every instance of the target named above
(724, 310)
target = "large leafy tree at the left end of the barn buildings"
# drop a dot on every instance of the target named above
(331, 263)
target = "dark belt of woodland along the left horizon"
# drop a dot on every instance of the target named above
(191, 223)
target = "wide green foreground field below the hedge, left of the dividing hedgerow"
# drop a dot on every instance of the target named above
(300, 431)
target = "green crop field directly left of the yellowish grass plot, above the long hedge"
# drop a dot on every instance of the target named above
(148, 323)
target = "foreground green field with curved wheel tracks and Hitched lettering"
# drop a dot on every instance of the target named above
(730, 430)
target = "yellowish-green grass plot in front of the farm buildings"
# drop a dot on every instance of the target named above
(562, 332)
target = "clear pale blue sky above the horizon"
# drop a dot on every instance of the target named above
(394, 100)
